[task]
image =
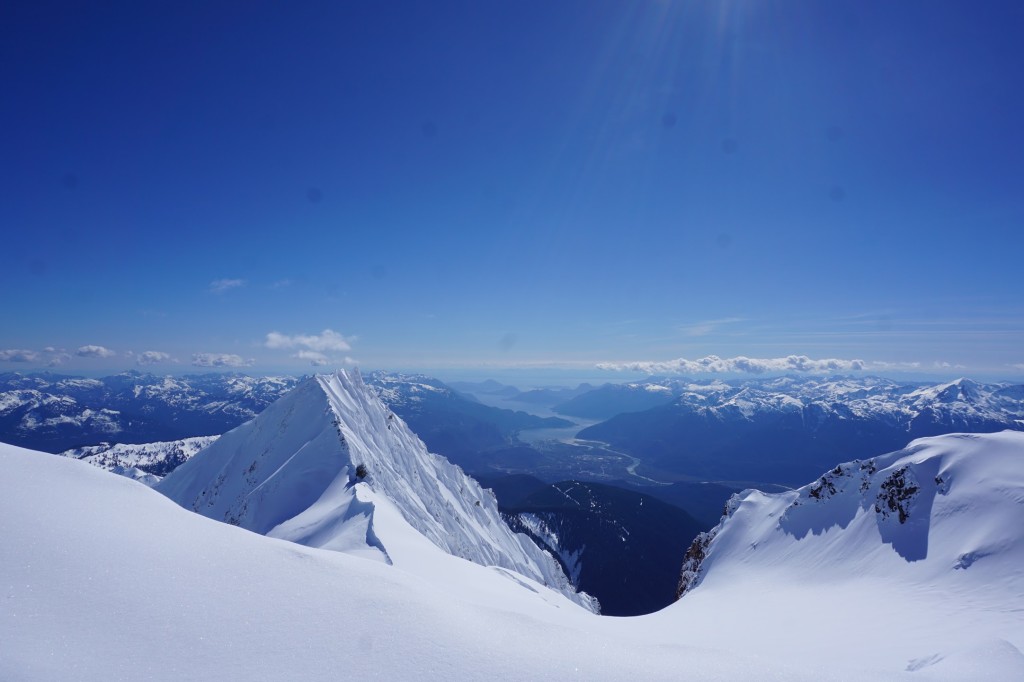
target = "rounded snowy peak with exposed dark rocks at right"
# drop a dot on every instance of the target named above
(945, 510)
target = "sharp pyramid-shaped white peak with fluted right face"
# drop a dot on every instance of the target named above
(329, 465)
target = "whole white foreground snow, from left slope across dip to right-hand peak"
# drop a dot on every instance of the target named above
(105, 579)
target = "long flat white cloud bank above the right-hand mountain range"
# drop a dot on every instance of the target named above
(739, 365)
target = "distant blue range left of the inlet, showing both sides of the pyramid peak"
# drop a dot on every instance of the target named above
(57, 413)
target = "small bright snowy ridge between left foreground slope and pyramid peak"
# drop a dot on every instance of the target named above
(147, 463)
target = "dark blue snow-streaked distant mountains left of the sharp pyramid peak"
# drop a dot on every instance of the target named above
(55, 413)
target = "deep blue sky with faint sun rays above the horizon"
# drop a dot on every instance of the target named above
(483, 186)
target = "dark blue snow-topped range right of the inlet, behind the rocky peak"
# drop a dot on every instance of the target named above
(784, 431)
